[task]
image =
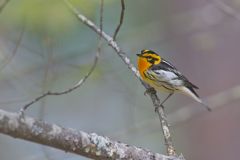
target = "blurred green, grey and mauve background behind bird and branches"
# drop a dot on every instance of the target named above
(44, 47)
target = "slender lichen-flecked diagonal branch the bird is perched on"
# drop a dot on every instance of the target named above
(126, 60)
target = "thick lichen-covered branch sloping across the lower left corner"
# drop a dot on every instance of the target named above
(70, 140)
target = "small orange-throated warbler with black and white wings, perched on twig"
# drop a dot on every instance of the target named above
(163, 76)
